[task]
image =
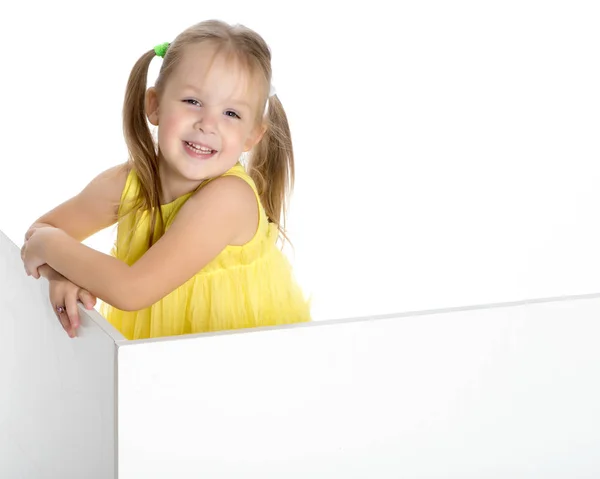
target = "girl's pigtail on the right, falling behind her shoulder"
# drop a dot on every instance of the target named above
(271, 165)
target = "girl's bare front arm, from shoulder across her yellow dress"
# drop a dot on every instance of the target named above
(223, 212)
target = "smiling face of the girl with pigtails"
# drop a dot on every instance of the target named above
(205, 117)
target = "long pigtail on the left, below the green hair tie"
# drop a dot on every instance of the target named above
(143, 155)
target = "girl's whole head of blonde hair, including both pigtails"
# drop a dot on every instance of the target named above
(271, 161)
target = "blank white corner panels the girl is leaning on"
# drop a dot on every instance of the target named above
(497, 391)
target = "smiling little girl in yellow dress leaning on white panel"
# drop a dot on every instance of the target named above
(196, 236)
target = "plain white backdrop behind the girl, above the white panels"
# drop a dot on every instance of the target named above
(447, 152)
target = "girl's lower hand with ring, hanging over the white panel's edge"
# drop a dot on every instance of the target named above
(65, 294)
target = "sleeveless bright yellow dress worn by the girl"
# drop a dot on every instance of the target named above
(243, 287)
